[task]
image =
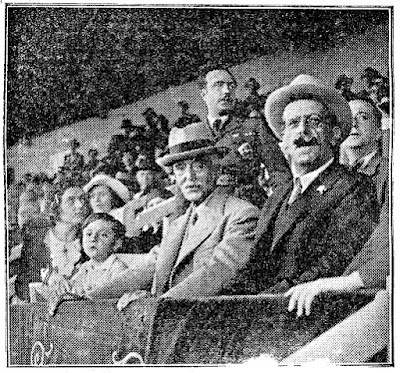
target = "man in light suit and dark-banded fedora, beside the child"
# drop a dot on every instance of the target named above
(204, 248)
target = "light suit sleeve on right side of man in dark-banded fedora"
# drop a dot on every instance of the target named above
(228, 256)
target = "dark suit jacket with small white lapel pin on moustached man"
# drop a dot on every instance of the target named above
(317, 236)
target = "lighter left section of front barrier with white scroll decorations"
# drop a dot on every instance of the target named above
(80, 333)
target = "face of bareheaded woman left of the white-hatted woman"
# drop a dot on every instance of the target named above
(73, 206)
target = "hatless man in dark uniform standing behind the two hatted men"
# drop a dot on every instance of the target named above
(250, 141)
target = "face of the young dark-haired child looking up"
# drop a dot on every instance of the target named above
(99, 240)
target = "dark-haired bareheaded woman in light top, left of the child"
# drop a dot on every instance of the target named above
(51, 248)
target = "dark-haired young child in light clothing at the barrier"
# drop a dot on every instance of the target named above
(102, 236)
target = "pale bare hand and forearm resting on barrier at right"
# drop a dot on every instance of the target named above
(303, 295)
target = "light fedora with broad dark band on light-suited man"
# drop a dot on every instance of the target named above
(188, 142)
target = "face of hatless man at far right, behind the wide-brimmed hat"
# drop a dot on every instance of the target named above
(366, 127)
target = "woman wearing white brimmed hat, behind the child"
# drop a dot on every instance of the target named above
(107, 195)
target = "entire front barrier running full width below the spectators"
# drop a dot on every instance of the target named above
(213, 330)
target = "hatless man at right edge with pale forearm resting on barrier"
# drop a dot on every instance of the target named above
(363, 150)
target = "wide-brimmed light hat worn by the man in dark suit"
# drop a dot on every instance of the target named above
(307, 87)
